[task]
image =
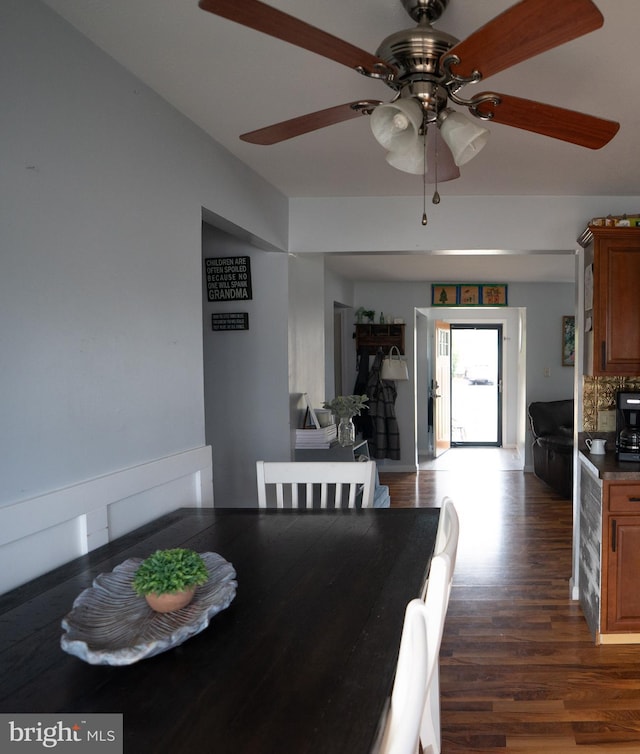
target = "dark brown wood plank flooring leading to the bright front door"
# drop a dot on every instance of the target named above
(519, 669)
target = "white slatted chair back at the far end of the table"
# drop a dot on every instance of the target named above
(324, 484)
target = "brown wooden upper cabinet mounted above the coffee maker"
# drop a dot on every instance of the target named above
(613, 342)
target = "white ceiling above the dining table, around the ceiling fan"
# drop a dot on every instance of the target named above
(229, 79)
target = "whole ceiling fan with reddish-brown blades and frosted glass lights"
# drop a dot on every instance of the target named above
(428, 69)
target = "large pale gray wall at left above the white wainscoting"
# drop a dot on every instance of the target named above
(101, 194)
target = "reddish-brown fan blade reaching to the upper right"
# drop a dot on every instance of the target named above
(524, 30)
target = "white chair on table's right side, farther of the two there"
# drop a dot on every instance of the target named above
(446, 545)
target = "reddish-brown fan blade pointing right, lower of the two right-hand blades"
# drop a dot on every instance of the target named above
(548, 120)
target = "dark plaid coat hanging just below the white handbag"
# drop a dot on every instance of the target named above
(385, 440)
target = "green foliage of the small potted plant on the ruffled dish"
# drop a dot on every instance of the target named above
(169, 571)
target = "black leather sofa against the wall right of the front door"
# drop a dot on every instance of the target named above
(551, 424)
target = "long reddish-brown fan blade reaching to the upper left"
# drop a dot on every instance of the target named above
(276, 23)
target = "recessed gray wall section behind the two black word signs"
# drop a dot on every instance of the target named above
(246, 372)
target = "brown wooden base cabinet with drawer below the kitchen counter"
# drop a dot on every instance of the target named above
(621, 558)
